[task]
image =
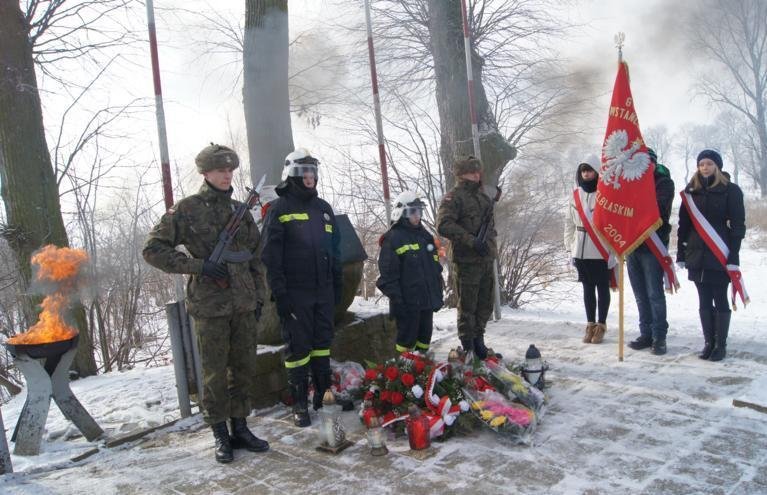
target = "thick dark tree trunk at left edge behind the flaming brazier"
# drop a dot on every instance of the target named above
(29, 191)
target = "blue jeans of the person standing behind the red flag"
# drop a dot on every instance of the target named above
(646, 277)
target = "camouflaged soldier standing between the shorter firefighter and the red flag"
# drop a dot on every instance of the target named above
(459, 219)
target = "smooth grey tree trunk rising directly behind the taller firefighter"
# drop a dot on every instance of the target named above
(265, 87)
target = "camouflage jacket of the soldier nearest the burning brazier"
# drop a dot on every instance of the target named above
(195, 222)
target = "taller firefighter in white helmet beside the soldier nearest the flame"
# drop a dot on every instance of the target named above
(302, 259)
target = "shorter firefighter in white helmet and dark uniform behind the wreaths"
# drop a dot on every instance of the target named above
(411, 274)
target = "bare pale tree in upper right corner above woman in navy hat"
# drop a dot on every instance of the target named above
(733, 33)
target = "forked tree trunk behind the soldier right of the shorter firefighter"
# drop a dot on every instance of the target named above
(447, 48)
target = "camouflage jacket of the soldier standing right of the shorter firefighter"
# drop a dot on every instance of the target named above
(459, 219)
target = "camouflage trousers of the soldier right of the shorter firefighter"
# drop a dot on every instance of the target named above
(474, 285)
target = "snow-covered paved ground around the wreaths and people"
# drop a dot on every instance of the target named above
(649, 424)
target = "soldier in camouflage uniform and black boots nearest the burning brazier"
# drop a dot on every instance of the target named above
(224, 318)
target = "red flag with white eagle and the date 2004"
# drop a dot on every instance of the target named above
(626, 211)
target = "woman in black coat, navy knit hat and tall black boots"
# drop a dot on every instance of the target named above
(721, 203)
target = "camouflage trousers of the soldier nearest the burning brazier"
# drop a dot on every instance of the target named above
(227, 353)
